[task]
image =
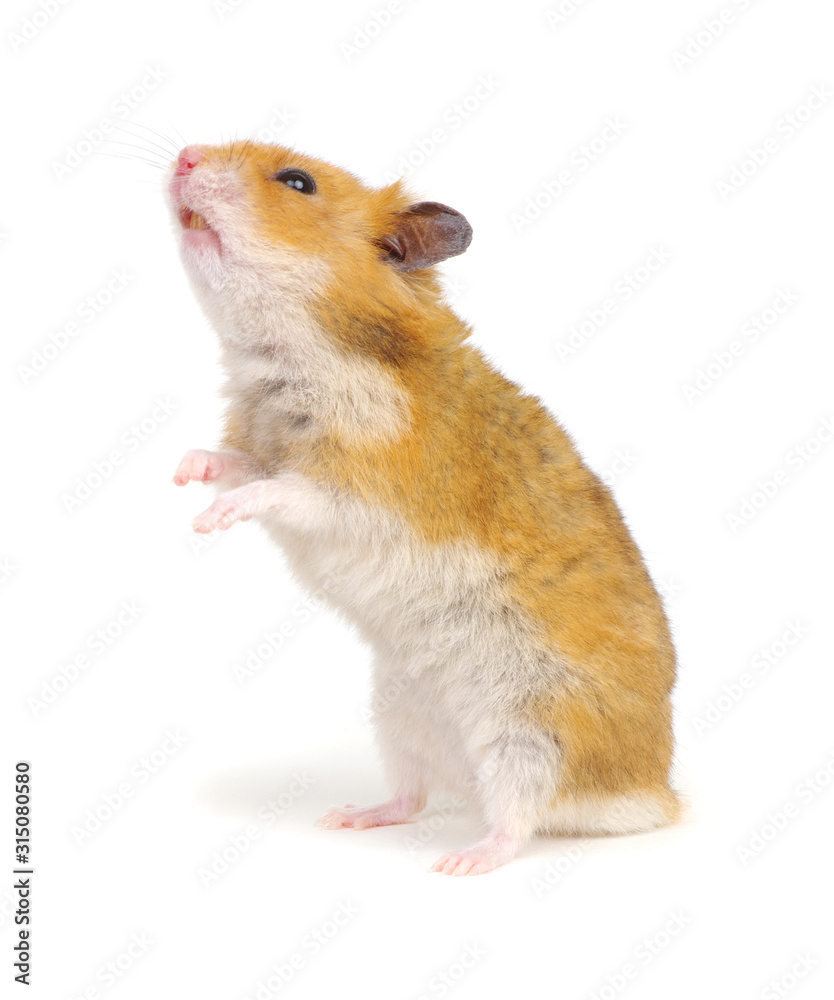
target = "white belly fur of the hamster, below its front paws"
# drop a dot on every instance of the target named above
(455, 660)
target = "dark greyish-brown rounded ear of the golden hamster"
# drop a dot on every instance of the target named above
(425, 234)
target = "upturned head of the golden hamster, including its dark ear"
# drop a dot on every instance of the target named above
(263, 222)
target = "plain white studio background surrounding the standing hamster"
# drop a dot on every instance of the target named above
(731, 900)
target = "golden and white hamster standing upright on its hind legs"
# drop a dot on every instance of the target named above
(522, 654)
